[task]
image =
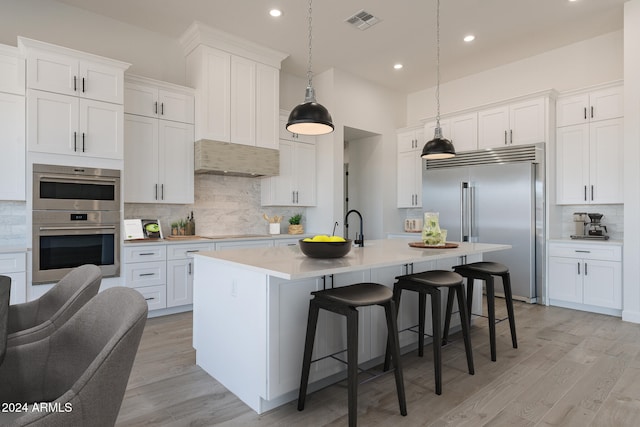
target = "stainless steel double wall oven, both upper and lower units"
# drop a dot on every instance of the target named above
(76, 220)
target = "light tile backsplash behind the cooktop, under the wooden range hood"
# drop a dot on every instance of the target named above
(223, 205)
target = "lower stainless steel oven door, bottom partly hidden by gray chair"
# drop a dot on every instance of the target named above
(64, 240)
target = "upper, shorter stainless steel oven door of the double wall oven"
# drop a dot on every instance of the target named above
(75, 188)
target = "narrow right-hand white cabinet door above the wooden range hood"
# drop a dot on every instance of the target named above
(267, 106)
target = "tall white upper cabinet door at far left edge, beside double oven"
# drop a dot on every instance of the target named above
(12, 161)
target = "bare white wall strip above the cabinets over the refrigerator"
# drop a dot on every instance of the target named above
(579, 65)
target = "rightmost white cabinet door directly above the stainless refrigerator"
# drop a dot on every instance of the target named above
(527, 122)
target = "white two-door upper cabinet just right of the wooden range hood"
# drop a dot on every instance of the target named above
(296, 183)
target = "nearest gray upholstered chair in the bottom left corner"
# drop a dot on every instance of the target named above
(81, 369)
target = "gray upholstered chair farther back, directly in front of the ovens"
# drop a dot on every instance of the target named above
(36, 319)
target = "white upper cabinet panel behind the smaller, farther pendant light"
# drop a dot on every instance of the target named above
(461, 130)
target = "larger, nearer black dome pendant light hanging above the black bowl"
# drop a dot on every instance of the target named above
(310, 118)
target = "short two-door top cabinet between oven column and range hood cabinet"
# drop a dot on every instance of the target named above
(152, 98)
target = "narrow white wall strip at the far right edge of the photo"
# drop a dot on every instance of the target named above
(631, 253)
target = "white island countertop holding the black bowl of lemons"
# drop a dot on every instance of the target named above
(288, 262)
